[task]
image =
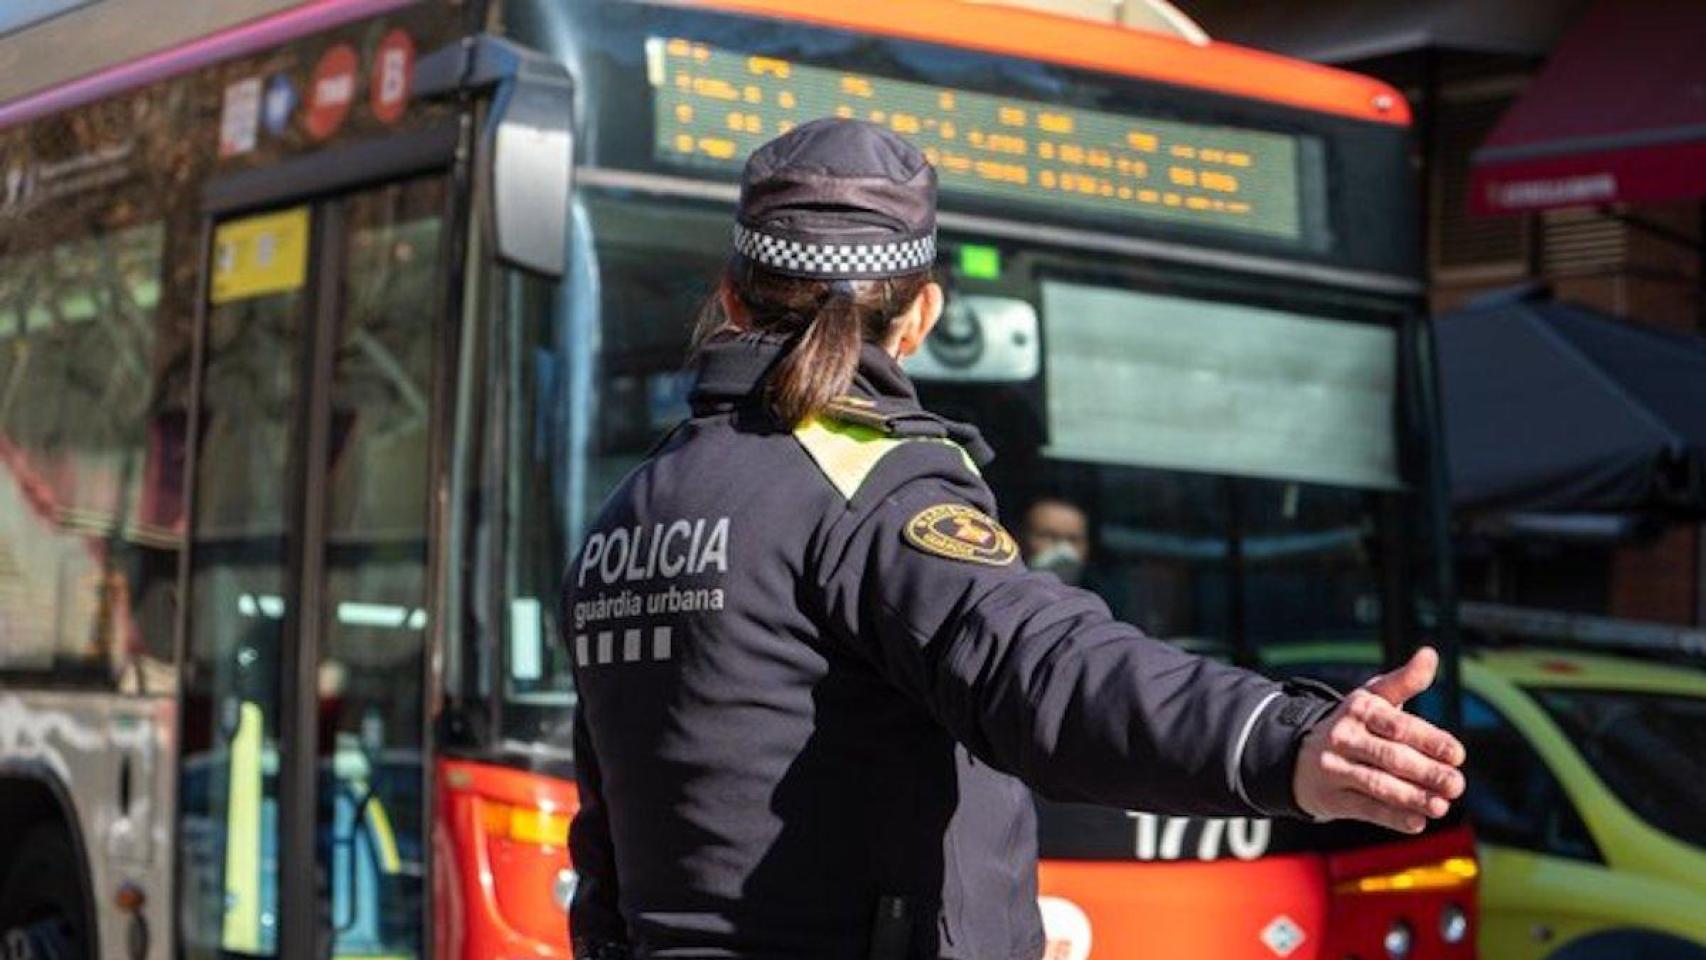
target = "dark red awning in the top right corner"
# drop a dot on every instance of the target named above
(1618, 115)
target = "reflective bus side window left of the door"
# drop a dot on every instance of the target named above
(91, 448)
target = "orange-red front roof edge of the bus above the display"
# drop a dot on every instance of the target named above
(1110, 49)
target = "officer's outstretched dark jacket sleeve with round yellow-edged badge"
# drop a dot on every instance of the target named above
(1038, 680)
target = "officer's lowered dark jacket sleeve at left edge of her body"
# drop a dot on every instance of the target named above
(595, 920)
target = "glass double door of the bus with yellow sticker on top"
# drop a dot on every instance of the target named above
(305, 736)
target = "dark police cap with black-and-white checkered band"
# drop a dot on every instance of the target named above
(838, 200)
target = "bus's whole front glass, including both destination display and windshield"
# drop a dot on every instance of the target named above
(1183, 338)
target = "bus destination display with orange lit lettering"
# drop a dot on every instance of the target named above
(716, 107)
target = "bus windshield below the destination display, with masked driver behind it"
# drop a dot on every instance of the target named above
(1229, 448)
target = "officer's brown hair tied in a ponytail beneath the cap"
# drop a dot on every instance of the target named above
(827, 323)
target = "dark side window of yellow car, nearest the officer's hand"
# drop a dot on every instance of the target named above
(1514, 799)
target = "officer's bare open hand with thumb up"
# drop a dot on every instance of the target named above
(1372, 761)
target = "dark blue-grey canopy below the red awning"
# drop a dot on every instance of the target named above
(1560, 408)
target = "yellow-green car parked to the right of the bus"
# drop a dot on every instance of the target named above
(1587, 792)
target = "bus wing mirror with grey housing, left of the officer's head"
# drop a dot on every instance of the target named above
(528, 146)
